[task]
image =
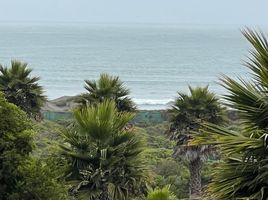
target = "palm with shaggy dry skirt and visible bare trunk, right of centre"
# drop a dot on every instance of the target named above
(188, 113)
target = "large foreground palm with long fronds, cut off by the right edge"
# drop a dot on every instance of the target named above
(243, 172)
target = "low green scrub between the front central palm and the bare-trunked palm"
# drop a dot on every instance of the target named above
(164, 168)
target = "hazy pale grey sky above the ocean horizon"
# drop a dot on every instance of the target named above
(242, 12)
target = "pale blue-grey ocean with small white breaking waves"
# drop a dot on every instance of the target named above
(155, 61)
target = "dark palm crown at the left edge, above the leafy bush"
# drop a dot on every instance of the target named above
(21, 89)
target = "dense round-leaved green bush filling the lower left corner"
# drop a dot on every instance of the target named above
(23, 177)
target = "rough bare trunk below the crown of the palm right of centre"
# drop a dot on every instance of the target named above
(195, 178)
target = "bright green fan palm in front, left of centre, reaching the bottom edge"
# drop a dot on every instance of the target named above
(105, 154)
